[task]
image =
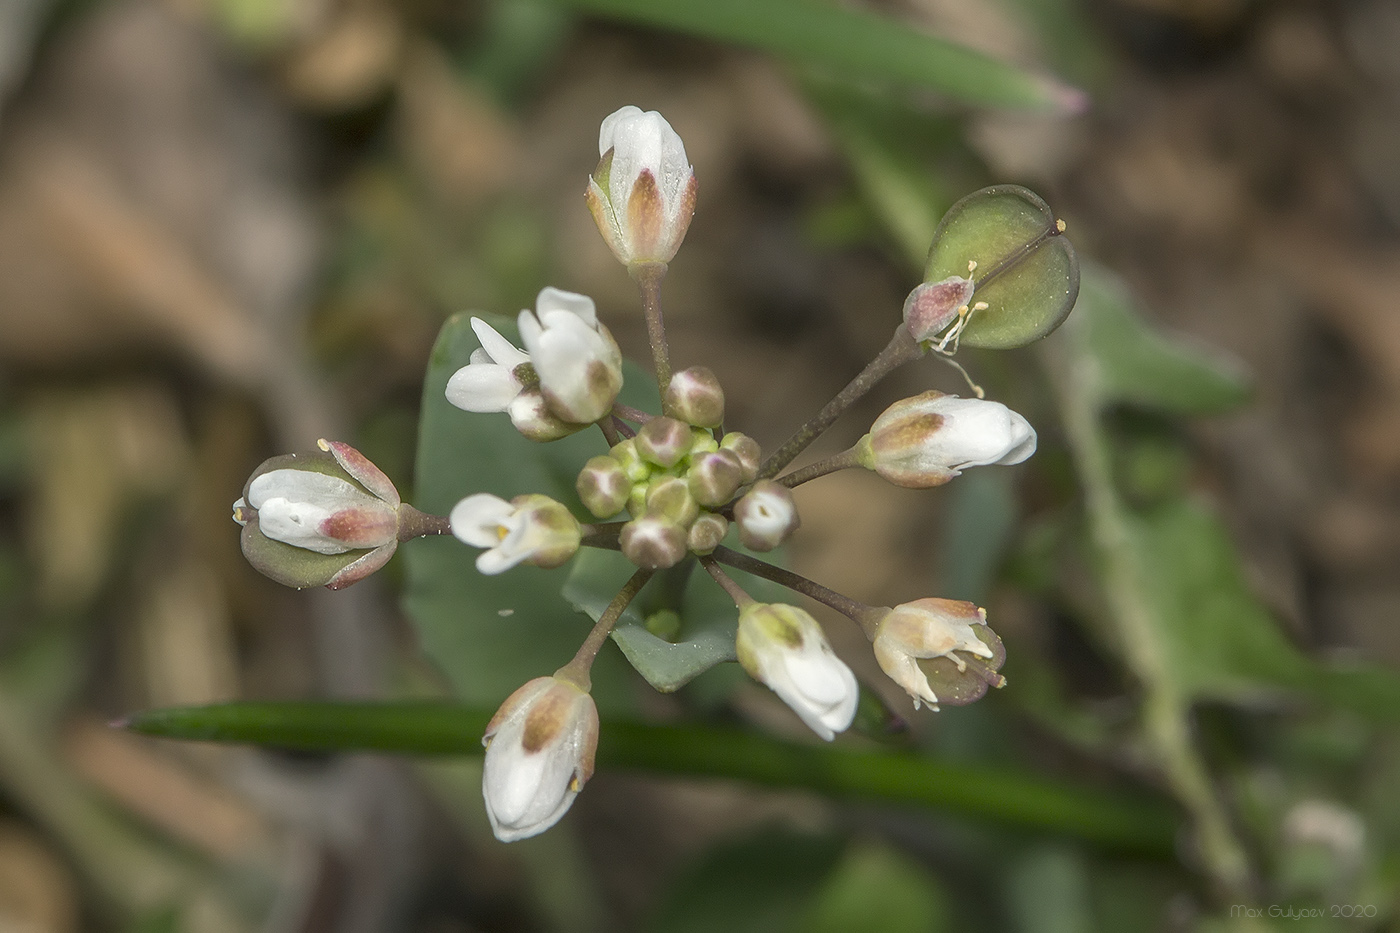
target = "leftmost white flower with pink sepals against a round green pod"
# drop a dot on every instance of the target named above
(330, 518)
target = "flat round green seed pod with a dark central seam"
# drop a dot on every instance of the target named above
(1027, 272)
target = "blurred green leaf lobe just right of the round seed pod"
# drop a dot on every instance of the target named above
(1139, 365)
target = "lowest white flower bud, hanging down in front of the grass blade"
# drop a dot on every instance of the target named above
(540, 754)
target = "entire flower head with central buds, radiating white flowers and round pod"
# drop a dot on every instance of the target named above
(677, 490)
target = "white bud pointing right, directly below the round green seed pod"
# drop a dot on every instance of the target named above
(930, 439)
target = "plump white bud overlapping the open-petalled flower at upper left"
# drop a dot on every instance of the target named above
(576, 358)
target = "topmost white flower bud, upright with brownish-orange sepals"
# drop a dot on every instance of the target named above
(643, 193)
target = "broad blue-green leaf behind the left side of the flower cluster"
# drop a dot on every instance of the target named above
(492, 634)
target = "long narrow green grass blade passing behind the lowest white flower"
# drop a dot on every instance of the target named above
(1128, 823)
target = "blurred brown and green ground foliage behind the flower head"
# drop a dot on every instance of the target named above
(230, 228)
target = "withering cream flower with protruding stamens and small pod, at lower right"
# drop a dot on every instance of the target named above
(940, 642)
